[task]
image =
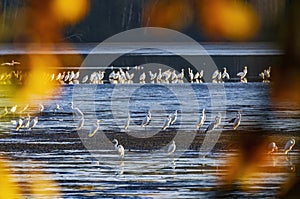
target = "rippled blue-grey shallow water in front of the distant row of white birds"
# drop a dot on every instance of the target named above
(55, 147)
